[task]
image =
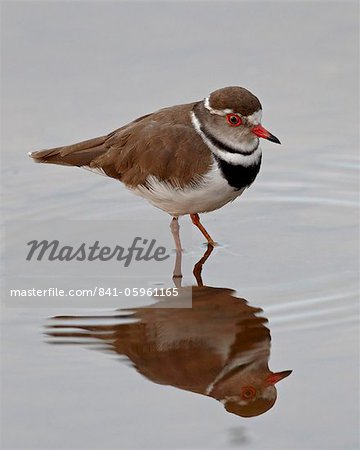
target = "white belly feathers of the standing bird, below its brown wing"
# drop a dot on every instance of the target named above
(210, 193)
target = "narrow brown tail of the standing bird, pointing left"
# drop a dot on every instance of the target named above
(80, 154)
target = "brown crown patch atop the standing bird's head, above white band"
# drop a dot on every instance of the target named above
(236, 98)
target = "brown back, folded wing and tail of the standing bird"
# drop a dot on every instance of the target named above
(162, 144)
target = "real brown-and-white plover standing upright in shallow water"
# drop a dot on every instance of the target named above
(185, 159)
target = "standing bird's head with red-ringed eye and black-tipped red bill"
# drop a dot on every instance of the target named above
(231, 117)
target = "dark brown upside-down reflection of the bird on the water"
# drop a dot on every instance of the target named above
(219, 348)
